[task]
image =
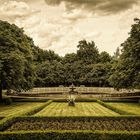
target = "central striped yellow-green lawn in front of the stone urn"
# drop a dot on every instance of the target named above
(81, 109)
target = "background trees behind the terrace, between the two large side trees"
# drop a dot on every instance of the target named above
(86, 67)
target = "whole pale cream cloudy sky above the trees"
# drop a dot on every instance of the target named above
(59, 24)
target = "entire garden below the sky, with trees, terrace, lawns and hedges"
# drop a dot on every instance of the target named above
(82, 96)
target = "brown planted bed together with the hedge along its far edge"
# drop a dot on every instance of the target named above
(76, 123)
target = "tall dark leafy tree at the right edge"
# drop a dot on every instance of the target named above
(127, 70)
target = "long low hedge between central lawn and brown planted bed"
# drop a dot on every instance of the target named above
(6, 123)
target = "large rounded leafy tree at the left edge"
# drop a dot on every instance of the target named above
(16, 58)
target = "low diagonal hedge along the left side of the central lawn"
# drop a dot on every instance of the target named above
(6, 122)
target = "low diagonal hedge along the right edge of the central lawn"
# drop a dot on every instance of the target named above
(121, 112)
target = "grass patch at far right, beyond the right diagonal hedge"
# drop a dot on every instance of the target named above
(133, 108)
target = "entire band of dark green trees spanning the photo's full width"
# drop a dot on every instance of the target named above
(24, 65)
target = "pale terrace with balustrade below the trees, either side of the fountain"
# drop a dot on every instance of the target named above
(85, 92)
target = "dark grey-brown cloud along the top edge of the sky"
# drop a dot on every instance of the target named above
(103, 6)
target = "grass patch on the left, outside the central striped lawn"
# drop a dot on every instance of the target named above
(16, 108)
